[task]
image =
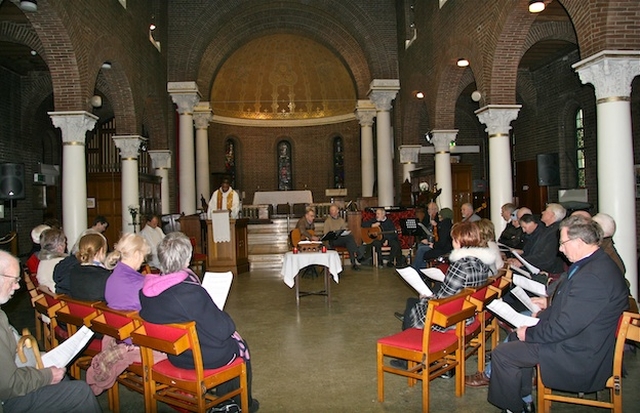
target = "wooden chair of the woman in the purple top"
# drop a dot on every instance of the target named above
(120, 325)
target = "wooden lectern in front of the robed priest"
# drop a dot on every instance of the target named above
(228, 256)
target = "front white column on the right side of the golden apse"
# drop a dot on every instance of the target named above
(381, 93)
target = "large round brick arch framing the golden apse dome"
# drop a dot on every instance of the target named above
(217, 39)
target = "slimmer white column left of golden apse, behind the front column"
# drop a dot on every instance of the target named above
(202, 115)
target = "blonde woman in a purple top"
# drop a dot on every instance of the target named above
(124, 284)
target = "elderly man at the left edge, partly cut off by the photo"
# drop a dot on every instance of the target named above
(27, 389)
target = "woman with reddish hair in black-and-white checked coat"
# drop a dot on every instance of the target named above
(470, 267)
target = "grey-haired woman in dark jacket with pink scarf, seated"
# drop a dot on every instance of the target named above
(176, 296)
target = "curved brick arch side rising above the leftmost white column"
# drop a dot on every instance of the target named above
(61, 56)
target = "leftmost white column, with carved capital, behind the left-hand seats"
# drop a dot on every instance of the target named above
(74, 127)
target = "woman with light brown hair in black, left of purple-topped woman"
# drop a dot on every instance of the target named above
(87, 281)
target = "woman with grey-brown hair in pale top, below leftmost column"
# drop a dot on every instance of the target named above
(53, 242)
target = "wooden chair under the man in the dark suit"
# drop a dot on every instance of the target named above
(628, 329)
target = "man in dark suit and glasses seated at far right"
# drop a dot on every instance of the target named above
(578, 325)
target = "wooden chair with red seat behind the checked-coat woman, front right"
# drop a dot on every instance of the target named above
(429, 353)
